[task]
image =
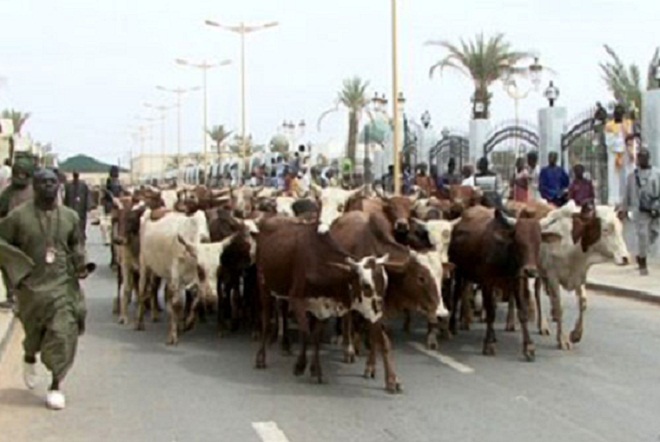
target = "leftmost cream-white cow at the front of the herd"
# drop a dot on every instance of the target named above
(165, 253)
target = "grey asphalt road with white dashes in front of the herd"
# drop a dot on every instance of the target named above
(129, 386)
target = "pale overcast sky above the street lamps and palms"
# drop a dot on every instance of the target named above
(84, 69)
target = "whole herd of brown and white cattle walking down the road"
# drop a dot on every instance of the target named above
(258, 258)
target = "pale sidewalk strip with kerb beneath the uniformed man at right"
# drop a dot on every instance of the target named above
(625, 281)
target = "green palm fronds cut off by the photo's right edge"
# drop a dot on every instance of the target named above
(625, 82)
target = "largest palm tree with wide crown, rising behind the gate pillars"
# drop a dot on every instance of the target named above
(484, 61)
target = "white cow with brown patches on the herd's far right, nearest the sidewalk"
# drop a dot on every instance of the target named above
(573, 242)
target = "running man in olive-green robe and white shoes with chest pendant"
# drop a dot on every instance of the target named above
(52, 309)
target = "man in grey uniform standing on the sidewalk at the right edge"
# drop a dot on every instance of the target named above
(642, 197)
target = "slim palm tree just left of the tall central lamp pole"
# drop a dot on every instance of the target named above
(353, 97)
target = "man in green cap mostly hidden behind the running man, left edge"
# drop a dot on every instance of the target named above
(18, 192)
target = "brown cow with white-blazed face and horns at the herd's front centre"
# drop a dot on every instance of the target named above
(309, 268)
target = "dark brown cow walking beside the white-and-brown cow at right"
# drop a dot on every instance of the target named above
(496, 252)
